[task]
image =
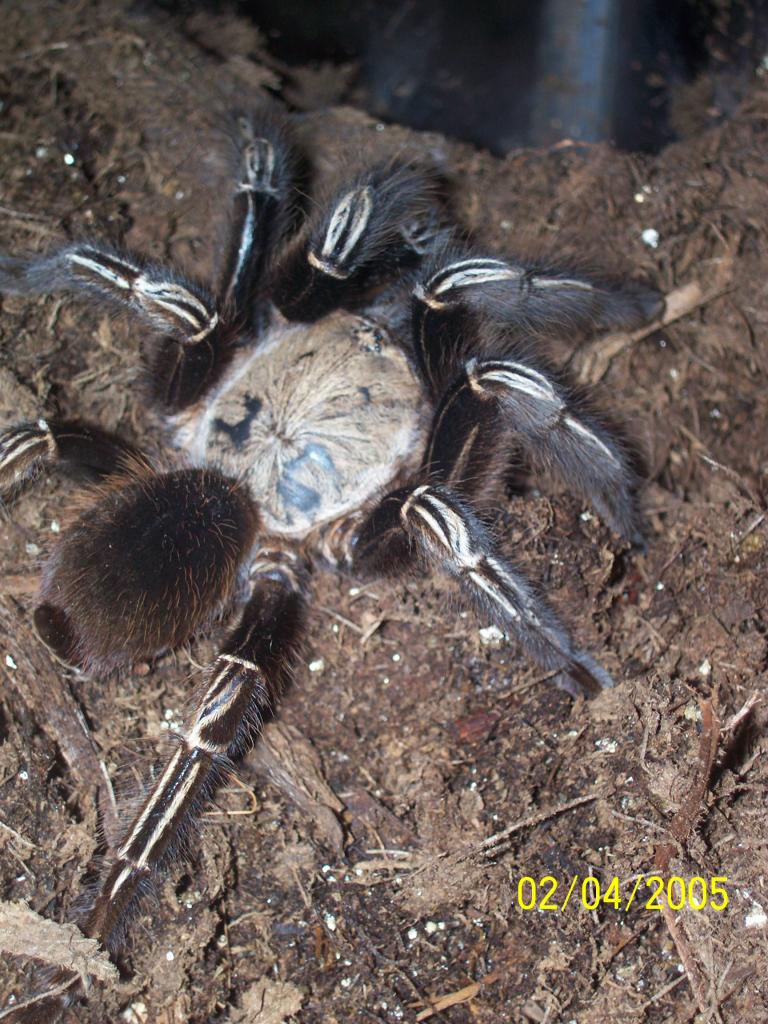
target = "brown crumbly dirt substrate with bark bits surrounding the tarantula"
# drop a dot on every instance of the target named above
(403, 723)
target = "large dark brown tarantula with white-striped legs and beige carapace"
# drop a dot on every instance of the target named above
(352, 394)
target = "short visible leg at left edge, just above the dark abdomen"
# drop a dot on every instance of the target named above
(46, 445)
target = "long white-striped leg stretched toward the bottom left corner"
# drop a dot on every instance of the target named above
(240, 690)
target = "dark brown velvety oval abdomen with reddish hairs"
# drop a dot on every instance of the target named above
(145, 567)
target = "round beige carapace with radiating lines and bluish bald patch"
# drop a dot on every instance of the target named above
(317, 420)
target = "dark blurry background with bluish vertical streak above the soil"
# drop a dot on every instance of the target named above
(504, 74)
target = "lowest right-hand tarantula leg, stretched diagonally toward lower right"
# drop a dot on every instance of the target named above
(434, 524)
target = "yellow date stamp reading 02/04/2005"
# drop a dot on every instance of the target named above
(648, 892)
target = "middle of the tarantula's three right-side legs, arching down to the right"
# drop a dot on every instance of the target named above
(494, 401)
